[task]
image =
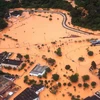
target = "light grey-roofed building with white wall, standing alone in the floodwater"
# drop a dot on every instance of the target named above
(38, 70)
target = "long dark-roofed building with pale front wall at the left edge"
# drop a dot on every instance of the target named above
(11, 63)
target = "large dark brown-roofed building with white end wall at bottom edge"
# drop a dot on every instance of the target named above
(30, 93)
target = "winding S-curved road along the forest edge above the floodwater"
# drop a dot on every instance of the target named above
(64, 22)
